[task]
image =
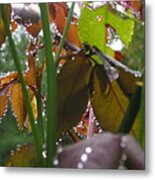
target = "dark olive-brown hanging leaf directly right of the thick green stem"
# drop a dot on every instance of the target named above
(73, 81)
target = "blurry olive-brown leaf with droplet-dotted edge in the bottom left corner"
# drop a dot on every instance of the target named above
(24, 156)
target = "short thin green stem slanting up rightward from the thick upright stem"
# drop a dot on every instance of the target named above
(61, 44)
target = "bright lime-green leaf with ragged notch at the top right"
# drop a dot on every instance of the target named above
(100, 18)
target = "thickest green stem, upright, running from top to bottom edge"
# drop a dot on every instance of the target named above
(51, 87)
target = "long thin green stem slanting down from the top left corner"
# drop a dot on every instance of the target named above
(35, 131)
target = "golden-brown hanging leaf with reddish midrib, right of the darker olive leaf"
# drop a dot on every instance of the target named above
(108, 101)
